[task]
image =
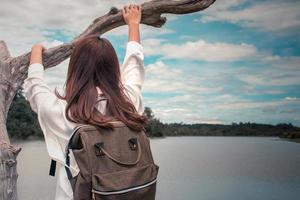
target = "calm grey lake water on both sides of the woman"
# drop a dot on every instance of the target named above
(194, 168)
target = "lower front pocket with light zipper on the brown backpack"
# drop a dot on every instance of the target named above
(135, 183)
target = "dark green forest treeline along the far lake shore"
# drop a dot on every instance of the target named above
(22, 123)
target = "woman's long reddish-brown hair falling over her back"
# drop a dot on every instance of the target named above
(94, 63)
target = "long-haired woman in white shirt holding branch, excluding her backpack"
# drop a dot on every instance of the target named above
(96, 90)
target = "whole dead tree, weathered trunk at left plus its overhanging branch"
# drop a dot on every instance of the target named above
(13, 71)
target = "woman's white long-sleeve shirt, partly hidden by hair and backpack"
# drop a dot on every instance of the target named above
(51, 110)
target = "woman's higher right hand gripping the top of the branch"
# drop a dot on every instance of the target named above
(132, 14)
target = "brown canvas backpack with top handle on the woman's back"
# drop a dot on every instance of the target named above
(114, 164)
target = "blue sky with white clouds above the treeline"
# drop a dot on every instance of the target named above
(237, 61)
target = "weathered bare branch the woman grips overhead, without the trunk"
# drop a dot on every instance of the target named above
(151, 15)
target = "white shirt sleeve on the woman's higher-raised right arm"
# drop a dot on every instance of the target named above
(133, 73)
